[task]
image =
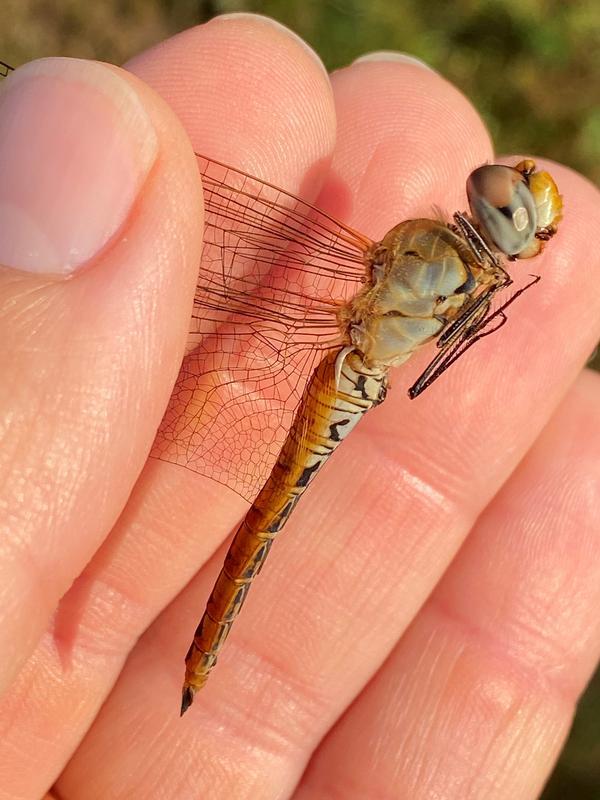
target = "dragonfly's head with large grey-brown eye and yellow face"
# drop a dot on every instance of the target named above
(516, 209)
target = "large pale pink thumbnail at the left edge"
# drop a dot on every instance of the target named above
(76, 146)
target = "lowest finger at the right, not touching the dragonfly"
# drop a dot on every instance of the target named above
(484, 683)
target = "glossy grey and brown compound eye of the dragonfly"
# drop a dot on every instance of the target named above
(503, 207)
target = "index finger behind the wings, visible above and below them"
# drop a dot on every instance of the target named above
(169, 526)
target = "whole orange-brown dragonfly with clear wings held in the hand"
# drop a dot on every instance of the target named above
(297, 320)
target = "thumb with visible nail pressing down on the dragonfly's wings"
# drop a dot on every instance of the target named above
(97, 186)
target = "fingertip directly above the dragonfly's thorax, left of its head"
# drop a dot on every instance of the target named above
(407, 140)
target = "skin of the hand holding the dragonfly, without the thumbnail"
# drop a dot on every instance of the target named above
(425, 625)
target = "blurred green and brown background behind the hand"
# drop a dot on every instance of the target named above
(531, 67)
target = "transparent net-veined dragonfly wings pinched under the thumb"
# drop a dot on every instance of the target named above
(274, 273)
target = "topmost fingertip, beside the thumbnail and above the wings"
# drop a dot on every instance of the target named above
(250, 94)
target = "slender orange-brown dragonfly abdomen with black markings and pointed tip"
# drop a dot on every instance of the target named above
(340, 391)
